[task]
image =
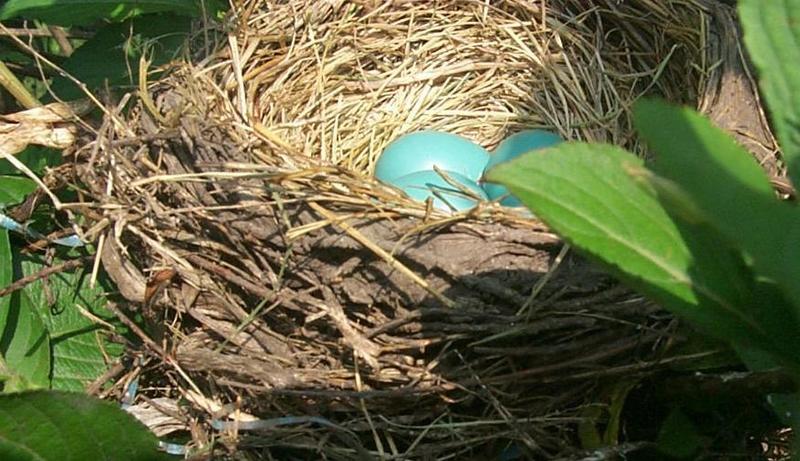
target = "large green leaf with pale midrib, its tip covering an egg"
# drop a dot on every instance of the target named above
(590, 195)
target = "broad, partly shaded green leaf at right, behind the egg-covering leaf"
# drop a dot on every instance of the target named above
(732, 192)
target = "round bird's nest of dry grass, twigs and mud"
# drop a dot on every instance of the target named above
(236, 212)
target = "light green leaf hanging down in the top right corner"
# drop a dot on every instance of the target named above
(772, 36)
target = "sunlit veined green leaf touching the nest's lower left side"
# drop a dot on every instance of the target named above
(80, 347)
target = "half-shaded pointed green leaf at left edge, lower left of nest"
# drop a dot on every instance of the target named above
(25, 346)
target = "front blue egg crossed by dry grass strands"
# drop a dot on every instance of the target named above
(423, 184)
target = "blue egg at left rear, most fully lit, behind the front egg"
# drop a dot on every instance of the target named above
(425, 149)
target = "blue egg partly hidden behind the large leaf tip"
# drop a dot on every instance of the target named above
(514, 146)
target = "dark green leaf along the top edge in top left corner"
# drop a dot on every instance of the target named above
(83, 12)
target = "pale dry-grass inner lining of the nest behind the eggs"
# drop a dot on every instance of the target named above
(339, 82)
